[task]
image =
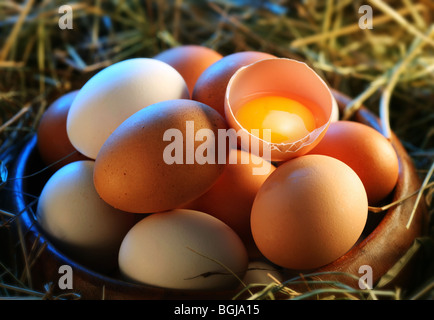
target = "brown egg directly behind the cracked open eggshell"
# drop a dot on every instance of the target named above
(211, 86)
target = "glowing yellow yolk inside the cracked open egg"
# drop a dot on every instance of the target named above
(288, 119)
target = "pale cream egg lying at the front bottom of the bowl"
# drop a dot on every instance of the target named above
(183, 249)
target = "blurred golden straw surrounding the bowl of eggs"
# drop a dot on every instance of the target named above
(389, 69)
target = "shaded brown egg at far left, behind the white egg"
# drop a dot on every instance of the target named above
(52, 139)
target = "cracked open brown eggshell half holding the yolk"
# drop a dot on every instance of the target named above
(285, 77)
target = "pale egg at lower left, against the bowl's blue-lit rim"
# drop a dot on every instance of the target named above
(78, 221)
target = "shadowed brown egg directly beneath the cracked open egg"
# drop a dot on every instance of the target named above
(230, 199)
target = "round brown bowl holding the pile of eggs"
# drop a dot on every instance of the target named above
(384, 242)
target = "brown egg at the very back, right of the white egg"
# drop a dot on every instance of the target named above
(190, 61)
